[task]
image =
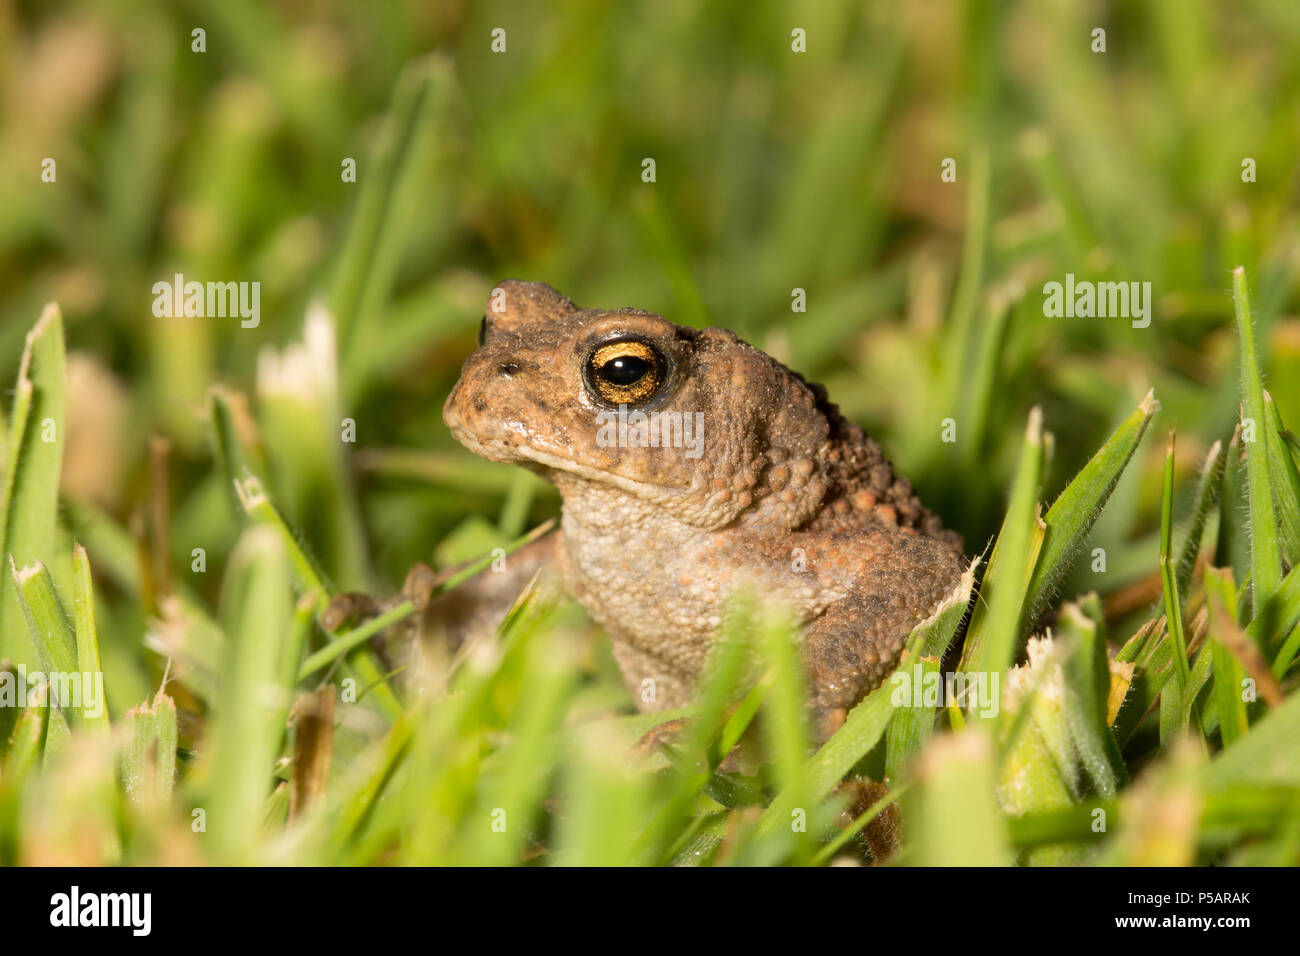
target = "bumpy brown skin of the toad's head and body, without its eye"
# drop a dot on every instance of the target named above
(786, 495)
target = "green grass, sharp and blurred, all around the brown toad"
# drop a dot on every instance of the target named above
(181, 498)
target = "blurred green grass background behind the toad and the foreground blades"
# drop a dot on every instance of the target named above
(775, 171)
